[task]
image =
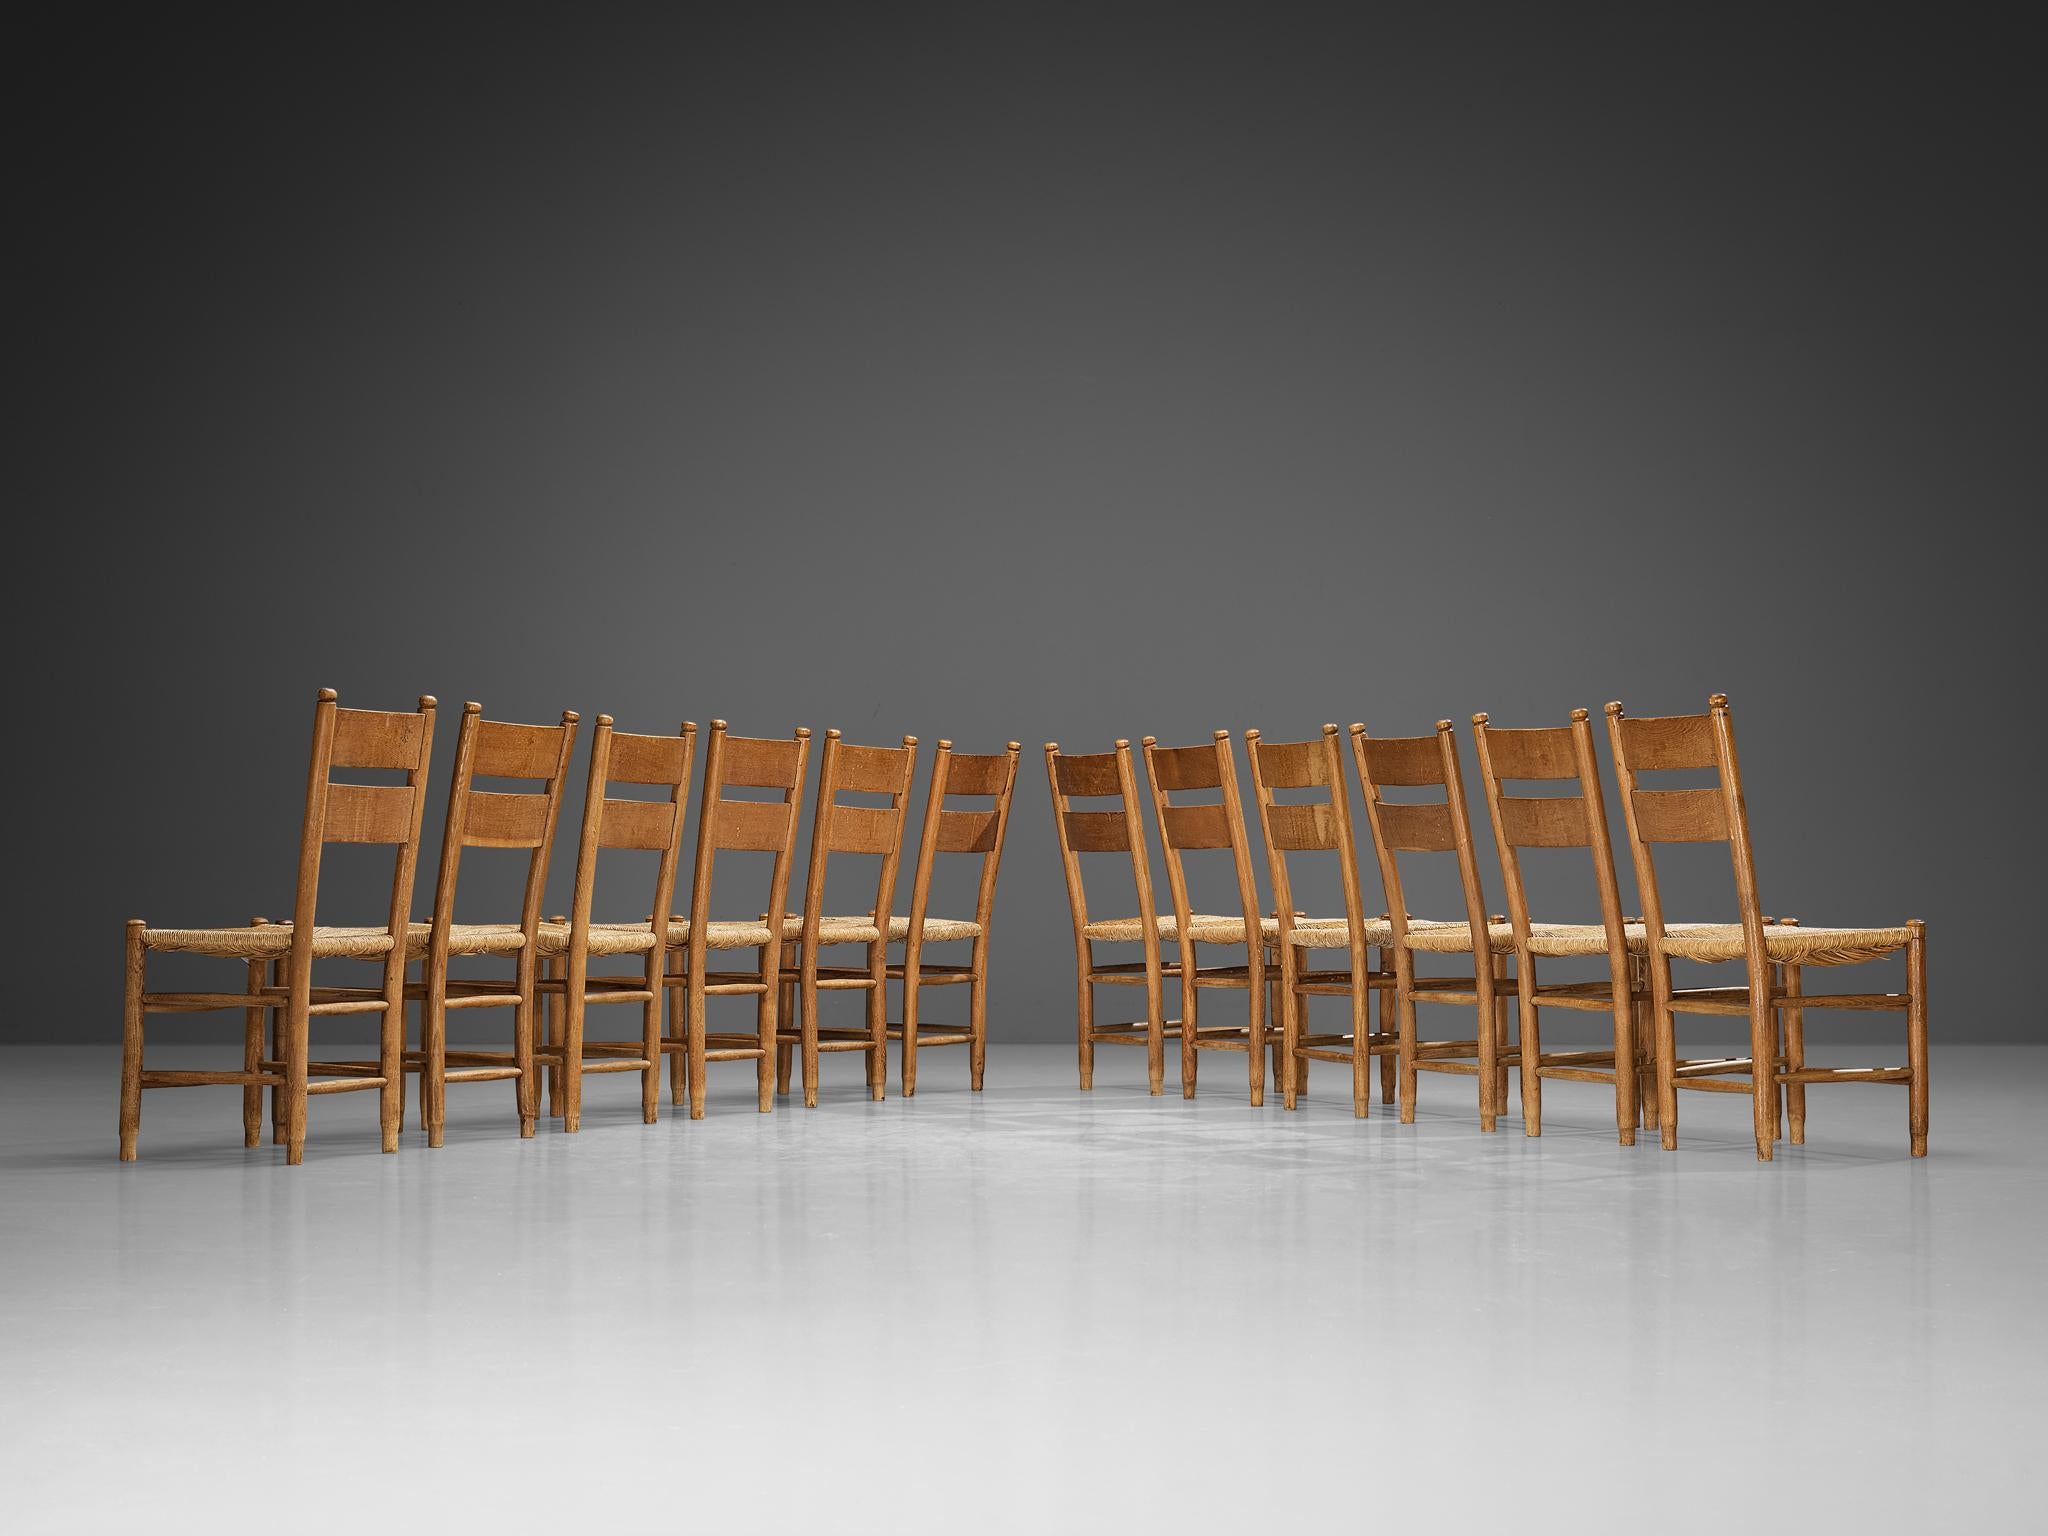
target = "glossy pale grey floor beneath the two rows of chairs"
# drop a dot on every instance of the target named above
(1029, 1310)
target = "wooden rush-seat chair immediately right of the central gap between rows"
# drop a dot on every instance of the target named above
(1103, 777)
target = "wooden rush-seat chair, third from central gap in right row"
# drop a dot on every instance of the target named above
(1322, 826)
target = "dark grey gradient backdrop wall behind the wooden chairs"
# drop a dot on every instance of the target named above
(1027, 374)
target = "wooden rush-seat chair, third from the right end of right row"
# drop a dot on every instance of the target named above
(1439, 826)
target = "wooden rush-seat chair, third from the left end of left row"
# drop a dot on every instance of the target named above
(654, 826)
